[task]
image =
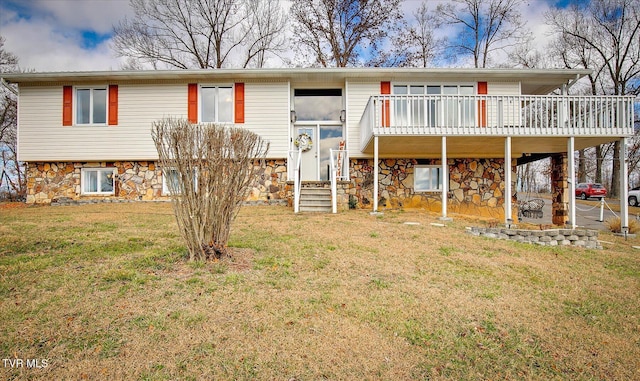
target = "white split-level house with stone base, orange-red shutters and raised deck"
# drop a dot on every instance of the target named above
(446, 140)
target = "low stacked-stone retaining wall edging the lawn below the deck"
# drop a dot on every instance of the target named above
(551, 237)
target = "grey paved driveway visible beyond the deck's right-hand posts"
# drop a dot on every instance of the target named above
(587, 215)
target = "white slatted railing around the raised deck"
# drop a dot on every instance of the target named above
(498, 115)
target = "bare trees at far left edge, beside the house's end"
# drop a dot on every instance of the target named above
(12, 175)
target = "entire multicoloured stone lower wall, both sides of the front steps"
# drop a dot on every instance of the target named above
(476, 186)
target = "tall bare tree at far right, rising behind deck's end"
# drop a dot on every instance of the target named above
(611, 30)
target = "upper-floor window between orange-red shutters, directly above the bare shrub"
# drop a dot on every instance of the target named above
(216, 104)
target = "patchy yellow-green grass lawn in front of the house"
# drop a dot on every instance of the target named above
(103, 292)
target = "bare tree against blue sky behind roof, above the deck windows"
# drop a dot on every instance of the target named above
(486, 27)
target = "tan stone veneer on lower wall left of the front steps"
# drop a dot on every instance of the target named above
(135, 180)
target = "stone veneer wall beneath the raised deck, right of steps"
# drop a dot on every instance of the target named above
(476, 186)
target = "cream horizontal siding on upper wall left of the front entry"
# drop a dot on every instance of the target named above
(43, 138)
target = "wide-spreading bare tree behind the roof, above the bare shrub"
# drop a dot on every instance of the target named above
(199, 33)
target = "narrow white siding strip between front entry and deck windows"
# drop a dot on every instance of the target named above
(357, 95)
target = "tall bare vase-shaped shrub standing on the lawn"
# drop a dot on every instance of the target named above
(208, 169)
